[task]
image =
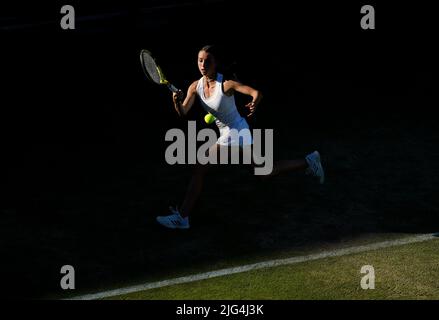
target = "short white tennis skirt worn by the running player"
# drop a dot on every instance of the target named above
(237, 134)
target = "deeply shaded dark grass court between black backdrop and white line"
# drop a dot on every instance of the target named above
(99, 216)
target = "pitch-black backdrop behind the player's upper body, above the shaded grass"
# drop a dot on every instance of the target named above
(84, 86)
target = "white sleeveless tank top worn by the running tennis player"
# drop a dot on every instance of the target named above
(223, 107)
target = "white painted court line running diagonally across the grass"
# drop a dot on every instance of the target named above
(256, 266)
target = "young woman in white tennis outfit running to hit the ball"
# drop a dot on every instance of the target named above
(217, 97)
